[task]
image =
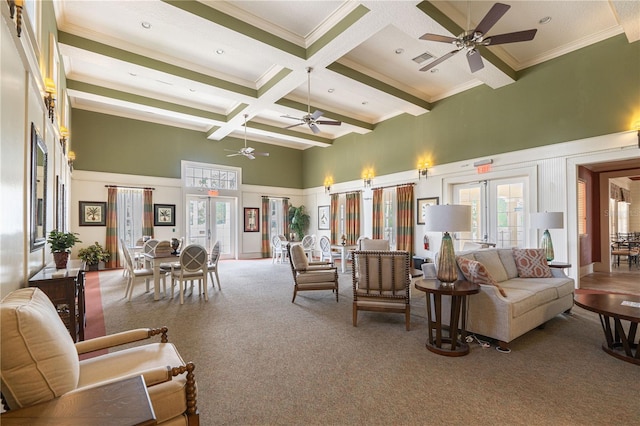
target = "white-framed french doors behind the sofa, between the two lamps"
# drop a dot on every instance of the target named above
(497, 211)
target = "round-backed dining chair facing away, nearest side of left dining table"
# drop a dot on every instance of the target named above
(193, 266)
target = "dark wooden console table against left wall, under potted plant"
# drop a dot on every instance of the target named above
(65, 288)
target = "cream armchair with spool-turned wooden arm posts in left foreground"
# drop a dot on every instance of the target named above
(39, 360)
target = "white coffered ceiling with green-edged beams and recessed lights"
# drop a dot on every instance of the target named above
(204, 65)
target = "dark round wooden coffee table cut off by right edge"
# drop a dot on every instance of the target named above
(613, 309)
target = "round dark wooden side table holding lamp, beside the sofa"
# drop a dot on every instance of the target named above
(454, 344)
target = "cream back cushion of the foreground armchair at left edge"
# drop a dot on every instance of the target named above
(36, 366)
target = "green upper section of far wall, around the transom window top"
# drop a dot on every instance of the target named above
(107, 143)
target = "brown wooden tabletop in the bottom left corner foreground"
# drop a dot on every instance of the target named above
(125, 402)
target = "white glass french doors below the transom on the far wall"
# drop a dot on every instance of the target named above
(211, 219)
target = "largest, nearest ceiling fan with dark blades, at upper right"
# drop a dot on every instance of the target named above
(471, 39)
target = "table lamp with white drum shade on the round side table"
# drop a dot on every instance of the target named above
(447, 218)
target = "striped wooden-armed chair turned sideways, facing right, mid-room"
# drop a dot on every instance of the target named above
(311, 275)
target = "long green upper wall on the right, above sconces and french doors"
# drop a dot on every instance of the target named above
(589, 92)
